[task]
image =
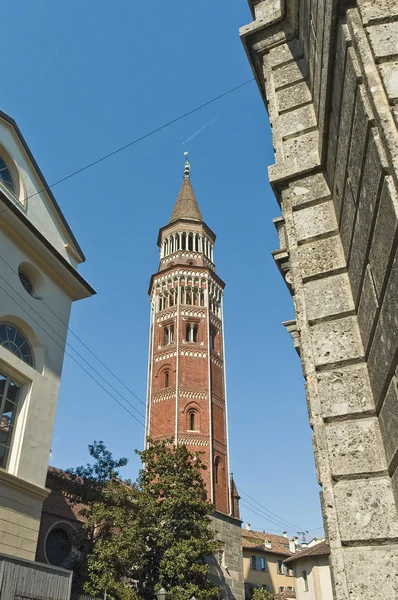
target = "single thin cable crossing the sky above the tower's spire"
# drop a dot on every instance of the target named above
(139, 139)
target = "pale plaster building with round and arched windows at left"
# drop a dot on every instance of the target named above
(38, 283)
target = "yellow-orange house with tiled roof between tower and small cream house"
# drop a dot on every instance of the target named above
(264, 556)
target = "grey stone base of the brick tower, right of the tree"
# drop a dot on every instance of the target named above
(226, 570)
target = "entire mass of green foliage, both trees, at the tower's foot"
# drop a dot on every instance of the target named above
(155, 532)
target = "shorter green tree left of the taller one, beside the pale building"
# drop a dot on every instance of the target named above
(108, 549)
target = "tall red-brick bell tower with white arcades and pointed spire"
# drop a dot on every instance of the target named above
(186, 397)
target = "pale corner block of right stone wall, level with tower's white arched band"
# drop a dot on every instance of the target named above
(328, 296)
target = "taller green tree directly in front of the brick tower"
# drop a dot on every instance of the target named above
(172, 524)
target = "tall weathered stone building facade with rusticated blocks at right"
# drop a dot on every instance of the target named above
(328, 73)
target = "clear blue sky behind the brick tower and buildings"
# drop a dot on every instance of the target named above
(83, 78)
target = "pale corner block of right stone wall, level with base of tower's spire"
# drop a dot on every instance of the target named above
(315, 220)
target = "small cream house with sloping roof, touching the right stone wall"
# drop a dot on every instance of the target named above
(312, 572)
